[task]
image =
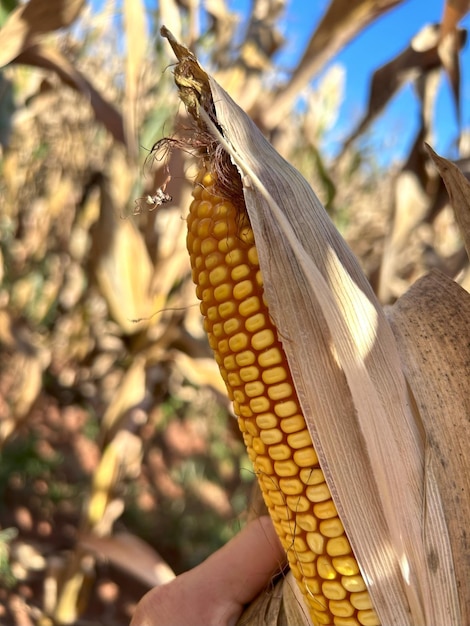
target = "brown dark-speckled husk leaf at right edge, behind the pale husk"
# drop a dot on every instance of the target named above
(432, 326)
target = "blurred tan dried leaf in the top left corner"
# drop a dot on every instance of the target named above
(32, 19)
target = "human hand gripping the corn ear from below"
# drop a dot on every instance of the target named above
(214, 593)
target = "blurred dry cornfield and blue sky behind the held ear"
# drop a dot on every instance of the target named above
(120, 460)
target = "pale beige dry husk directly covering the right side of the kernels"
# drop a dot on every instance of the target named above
(346, 368)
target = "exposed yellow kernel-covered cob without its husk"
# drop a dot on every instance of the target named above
(253, 364)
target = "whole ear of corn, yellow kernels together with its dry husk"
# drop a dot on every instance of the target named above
(372, 438)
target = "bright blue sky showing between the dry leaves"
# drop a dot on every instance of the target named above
(393, 133)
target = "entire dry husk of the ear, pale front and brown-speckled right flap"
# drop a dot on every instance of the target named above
(360, 387)
